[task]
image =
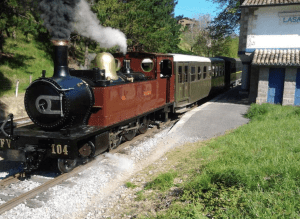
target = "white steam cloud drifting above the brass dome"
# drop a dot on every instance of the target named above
(87, 24)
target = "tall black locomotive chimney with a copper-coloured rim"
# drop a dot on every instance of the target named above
(61, 68)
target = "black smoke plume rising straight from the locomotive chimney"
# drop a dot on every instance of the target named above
(58, 15)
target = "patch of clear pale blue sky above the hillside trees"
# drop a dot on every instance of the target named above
(190, 8)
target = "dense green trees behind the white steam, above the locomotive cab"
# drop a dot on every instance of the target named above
(147, 23)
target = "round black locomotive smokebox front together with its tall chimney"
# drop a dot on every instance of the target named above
(62, 101)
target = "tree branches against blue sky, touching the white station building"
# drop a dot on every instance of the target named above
(228, 20)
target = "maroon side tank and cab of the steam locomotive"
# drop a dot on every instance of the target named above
(134, 99)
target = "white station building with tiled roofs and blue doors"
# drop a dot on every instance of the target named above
(269, 48)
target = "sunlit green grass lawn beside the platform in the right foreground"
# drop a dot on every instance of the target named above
(252, 172)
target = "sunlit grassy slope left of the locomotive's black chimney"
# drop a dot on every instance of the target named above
(29, 58)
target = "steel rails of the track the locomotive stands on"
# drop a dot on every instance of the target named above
(59, 179)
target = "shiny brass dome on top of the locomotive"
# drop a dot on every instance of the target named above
(106, 61)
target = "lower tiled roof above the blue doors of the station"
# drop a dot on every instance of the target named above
(276, 57)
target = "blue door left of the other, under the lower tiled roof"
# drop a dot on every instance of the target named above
(276, 82)
